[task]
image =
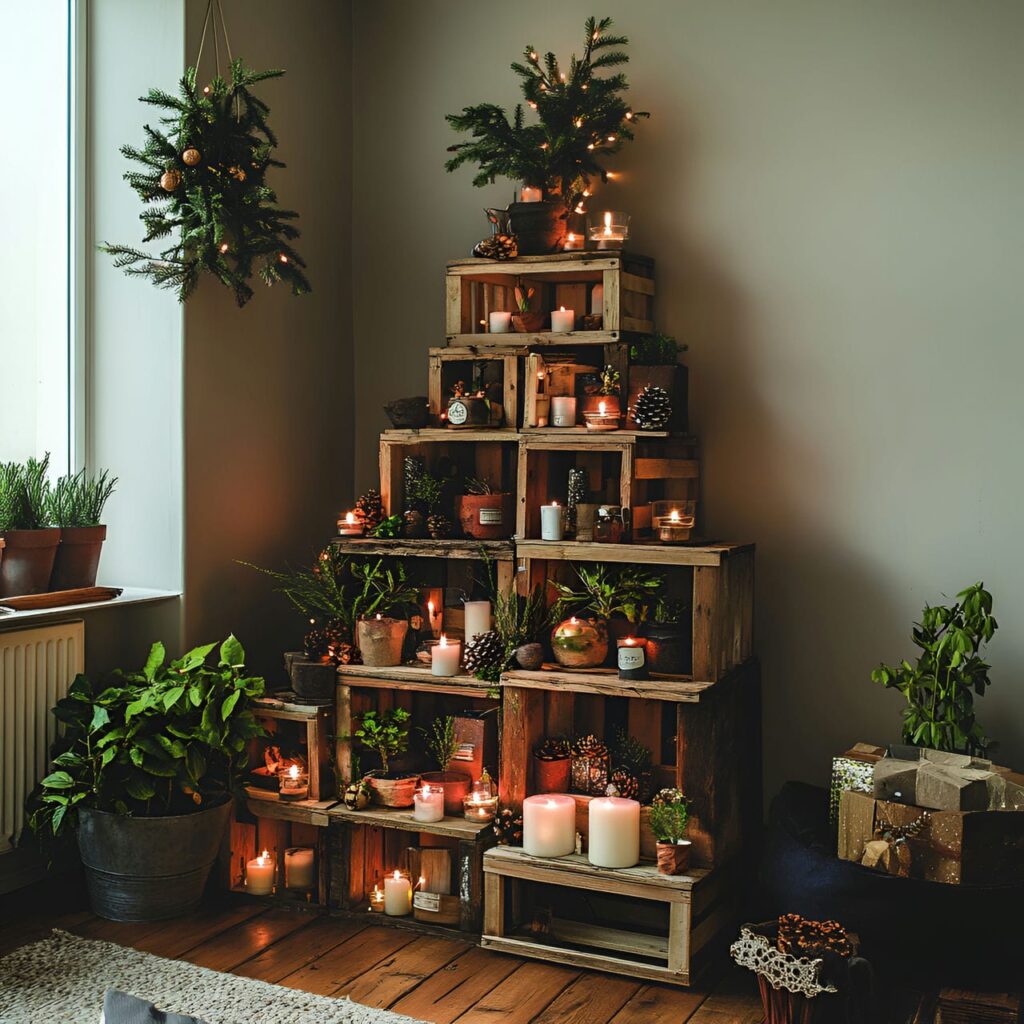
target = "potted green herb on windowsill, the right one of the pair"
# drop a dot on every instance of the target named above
(76, 505)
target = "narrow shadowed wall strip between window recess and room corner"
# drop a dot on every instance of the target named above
(269, 390)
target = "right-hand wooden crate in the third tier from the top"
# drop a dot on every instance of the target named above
(624, 467)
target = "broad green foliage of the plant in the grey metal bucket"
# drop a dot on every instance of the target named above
(166, 741)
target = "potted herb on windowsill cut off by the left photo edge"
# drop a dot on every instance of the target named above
(30, 538)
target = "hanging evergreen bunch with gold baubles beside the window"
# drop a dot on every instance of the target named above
(205, 178)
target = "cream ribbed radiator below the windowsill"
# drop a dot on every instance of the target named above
(37, 666)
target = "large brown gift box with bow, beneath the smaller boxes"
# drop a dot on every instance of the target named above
(955, 847)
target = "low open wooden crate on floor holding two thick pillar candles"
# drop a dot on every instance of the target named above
(661, 926)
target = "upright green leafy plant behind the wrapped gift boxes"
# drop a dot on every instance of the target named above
(951, 671)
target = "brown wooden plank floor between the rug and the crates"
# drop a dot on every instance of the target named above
(443, 980)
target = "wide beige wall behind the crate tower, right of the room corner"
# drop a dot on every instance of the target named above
(833, 196)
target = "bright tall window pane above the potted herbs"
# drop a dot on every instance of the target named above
(37, 205)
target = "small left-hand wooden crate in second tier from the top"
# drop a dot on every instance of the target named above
(498, 370)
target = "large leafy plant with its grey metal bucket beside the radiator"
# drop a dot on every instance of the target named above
(147, 766)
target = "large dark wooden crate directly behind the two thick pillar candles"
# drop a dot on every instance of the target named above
(706, 740)
